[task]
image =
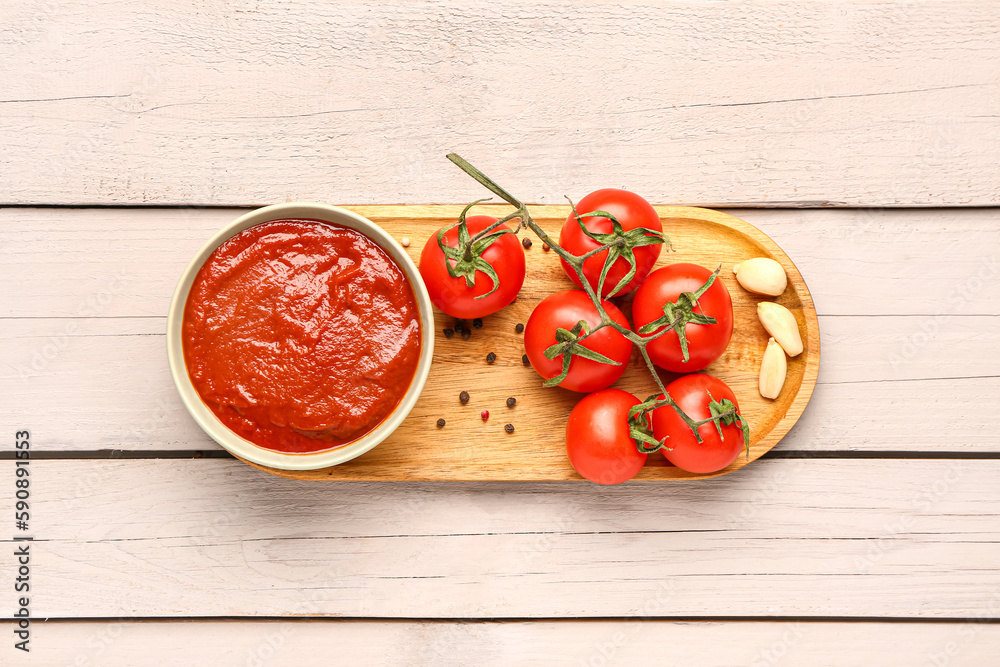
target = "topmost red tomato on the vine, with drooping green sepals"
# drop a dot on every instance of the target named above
(632, 211)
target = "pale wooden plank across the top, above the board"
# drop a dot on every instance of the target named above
(765, 103)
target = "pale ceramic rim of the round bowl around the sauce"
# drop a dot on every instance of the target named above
(204, 416)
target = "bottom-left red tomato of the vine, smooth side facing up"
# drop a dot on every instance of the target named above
(598, 441)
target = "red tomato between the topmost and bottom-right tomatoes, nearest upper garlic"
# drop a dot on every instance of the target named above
(706, 342)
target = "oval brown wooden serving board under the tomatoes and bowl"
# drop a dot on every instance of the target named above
(467, 449)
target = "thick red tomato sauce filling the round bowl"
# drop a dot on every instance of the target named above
(301, 335)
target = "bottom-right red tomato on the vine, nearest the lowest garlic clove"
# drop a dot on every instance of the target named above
(691, 393)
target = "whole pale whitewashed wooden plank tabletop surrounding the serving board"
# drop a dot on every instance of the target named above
(863, 137)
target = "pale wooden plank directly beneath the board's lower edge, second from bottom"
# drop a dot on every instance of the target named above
(913, 539)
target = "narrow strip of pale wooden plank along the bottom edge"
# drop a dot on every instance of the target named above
(587, 643)
